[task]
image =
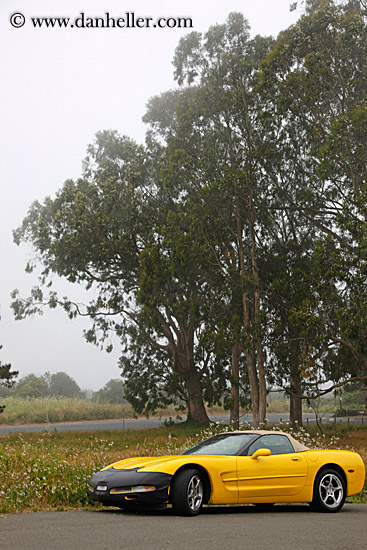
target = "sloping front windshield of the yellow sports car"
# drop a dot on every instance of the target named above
(222, 444)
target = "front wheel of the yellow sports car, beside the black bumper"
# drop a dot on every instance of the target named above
(187, 493)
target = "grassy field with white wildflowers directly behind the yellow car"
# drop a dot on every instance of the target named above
(49, 471)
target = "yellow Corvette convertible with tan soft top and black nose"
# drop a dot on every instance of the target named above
(250, 467)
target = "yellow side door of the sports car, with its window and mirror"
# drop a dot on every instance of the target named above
(283, 473)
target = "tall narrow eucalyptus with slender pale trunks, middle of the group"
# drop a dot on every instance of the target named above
(217, 145)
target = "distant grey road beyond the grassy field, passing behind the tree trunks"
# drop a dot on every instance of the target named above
(143, 423)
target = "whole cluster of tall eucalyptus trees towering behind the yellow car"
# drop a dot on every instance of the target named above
(229, 253)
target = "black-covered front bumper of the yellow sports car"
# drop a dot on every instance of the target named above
(128, 478)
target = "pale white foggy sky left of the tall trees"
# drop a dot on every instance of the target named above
(58, 88)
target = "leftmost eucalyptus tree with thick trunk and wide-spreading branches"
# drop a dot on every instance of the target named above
(122, 233)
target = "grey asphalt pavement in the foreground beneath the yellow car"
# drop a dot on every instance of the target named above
(224, 528)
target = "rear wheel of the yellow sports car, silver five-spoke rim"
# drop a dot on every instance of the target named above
(329, 491)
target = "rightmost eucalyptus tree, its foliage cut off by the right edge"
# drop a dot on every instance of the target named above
(314, 93)
